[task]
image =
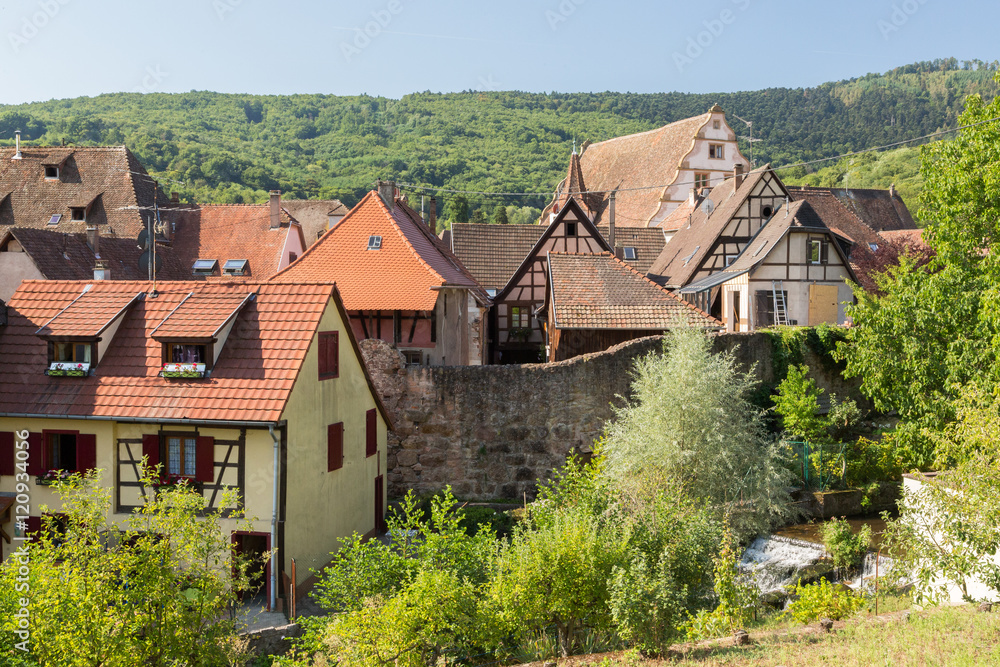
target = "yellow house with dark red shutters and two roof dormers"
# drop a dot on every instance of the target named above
(255, 387)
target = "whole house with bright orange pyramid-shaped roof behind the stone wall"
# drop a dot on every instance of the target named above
(400, 283)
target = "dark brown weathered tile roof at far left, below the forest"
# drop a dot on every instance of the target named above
(109, 176)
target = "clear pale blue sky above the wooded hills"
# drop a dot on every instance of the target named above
(53, 49)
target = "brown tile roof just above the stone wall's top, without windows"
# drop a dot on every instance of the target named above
(602, 292)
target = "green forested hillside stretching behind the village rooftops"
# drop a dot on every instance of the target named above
(232, 148)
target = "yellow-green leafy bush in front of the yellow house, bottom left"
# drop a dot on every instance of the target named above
(155, 589)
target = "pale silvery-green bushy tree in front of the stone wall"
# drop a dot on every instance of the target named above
(690, 423)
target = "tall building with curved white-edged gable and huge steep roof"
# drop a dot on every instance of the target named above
(693, 153)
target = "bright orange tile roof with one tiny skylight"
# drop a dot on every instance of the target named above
(402, 274)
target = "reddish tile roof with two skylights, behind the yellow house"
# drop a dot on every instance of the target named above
(233, 231)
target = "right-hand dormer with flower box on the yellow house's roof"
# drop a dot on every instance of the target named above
(193, 334)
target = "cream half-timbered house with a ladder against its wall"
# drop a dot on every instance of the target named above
(793, 271)
